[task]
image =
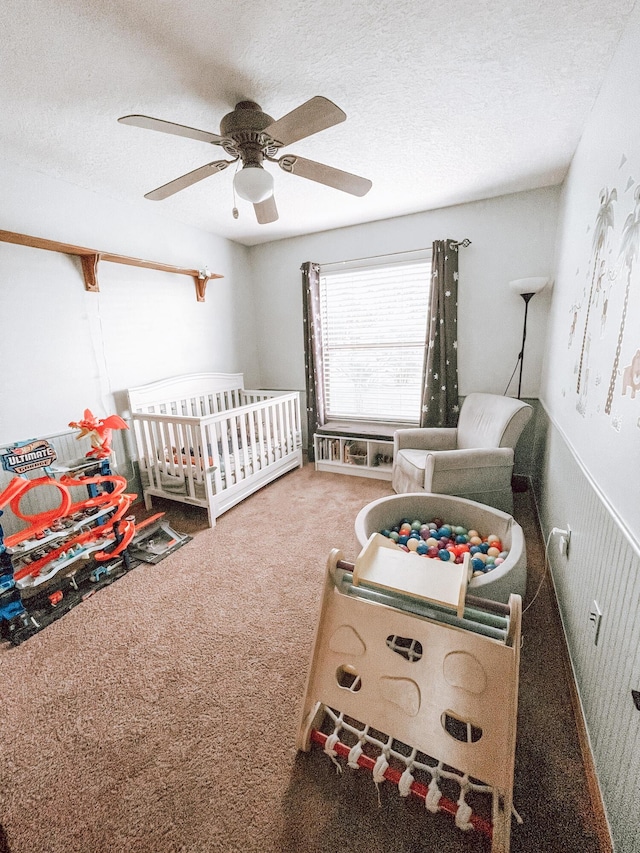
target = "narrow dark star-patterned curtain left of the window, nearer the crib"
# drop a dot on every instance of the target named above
(312, 351)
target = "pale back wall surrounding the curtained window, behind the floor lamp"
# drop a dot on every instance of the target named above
(512, 237)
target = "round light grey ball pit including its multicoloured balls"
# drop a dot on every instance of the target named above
(437, 525)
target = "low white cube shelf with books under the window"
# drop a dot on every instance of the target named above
(360, 457)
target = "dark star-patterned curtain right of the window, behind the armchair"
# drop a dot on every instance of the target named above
(440, 379)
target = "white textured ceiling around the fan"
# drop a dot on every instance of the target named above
(447, 101)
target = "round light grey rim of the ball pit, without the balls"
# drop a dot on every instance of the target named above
(497, 584)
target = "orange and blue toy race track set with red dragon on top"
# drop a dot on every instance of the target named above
(66, 554)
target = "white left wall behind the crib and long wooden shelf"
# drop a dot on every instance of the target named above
(64, 349)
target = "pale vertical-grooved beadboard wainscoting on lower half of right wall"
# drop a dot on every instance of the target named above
(603, 566)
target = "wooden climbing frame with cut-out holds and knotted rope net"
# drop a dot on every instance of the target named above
(418, 683)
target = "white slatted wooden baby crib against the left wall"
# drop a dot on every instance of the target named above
(204, 440)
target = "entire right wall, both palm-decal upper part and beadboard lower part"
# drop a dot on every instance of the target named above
(589, 459)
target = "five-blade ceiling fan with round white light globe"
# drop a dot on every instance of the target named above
(251, 136)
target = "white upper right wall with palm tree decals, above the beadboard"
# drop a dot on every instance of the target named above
(605, 438)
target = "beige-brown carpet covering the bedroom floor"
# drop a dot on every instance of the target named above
(160, 715)
